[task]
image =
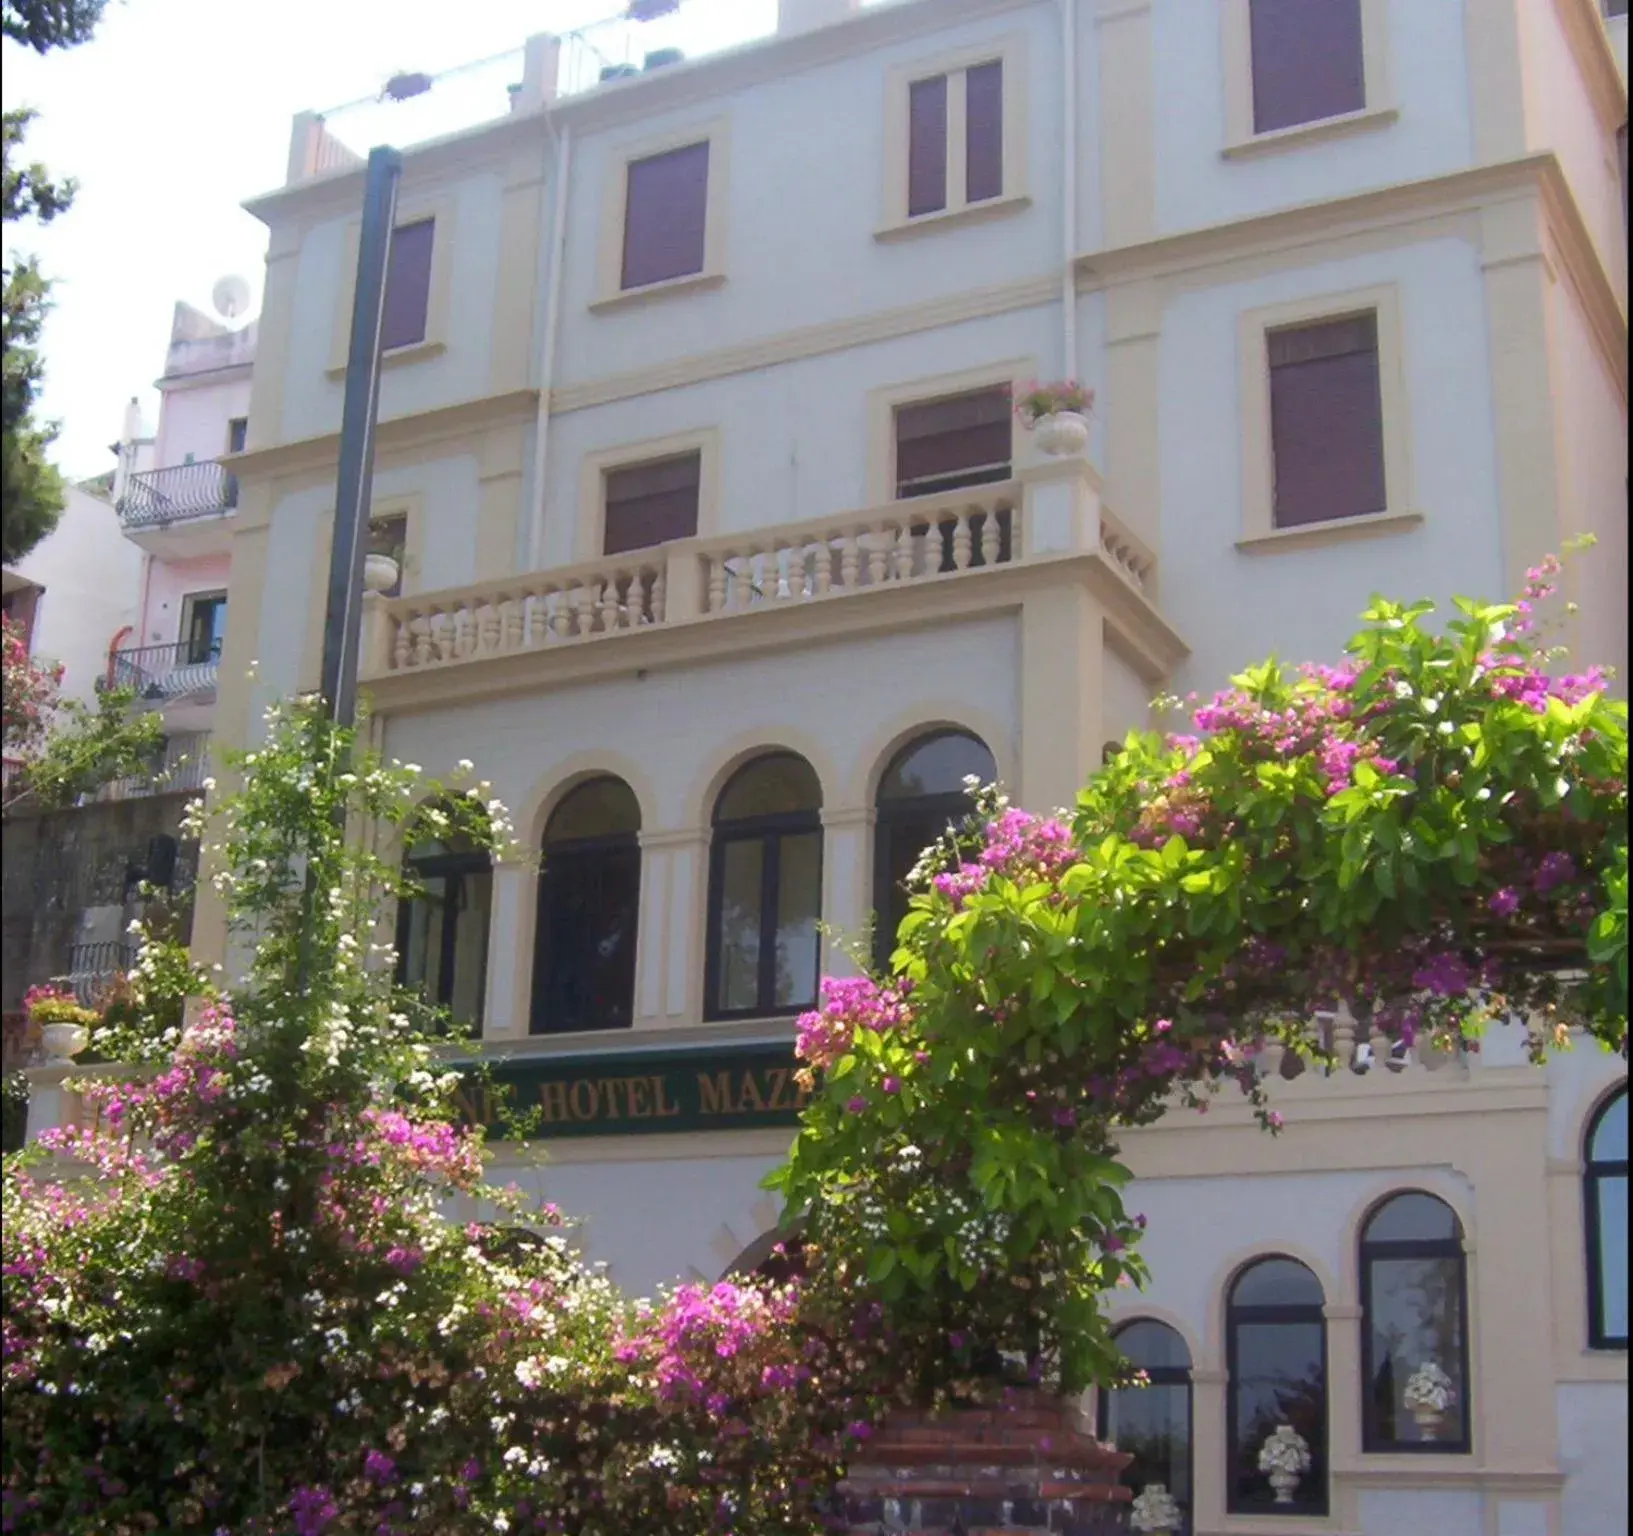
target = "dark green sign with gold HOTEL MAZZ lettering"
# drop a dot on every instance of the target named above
(644, 1093)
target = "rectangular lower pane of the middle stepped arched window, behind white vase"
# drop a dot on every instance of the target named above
(1279, 1380)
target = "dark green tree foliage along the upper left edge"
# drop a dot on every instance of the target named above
(32, 491)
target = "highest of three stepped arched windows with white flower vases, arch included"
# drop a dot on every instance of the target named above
(1413, 1328)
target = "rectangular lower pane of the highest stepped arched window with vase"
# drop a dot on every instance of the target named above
(1417, 1321)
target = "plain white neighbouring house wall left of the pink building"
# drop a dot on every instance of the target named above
(91, 577)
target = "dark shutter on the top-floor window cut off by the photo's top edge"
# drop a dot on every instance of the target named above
(1307, 61)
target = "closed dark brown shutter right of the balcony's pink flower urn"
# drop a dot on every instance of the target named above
(1327, 422)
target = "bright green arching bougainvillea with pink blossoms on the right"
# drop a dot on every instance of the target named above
(1431, 833)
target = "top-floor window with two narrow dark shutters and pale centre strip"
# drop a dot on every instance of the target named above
(933, 107)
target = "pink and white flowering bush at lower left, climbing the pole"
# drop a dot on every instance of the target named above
(249, 1312)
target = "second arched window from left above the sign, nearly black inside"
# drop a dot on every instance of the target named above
(584, 954)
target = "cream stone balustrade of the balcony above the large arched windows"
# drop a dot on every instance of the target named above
(954, 538)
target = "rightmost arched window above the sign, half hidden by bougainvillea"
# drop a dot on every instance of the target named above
(920, 796)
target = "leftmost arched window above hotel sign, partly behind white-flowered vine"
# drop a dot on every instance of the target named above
(443, 931)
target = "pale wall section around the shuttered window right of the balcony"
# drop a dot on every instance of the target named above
(1239, 608)
